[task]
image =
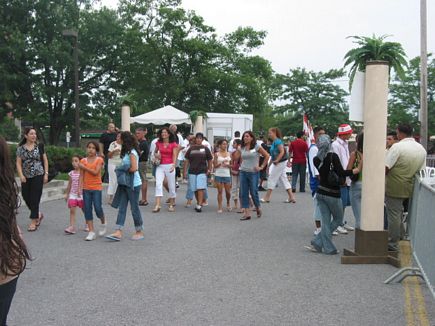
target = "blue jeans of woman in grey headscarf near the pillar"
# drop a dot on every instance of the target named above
(328, 206)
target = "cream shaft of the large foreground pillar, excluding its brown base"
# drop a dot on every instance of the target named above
(375, 129)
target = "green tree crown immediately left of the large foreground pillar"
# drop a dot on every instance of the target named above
(312, 93)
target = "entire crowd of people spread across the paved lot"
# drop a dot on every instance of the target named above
(238, 168)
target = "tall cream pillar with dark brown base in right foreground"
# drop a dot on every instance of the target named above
(371, 241)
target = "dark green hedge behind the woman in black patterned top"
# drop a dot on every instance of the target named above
(59, 157)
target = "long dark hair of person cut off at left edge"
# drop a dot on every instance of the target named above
(13, 250)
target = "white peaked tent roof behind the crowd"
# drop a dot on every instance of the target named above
(166, 114)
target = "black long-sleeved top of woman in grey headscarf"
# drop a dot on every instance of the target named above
(325, 188)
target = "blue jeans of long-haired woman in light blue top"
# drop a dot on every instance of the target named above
(126, 195)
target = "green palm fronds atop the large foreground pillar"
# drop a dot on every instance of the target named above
(375, 49)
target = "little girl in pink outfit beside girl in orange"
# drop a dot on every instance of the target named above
(73, 194)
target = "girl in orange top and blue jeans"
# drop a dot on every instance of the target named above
(90, 176)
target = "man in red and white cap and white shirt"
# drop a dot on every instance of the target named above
(341, 147)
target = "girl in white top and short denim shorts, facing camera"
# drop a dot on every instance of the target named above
(222, 165)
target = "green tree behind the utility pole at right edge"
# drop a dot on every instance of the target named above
(404, 102)
